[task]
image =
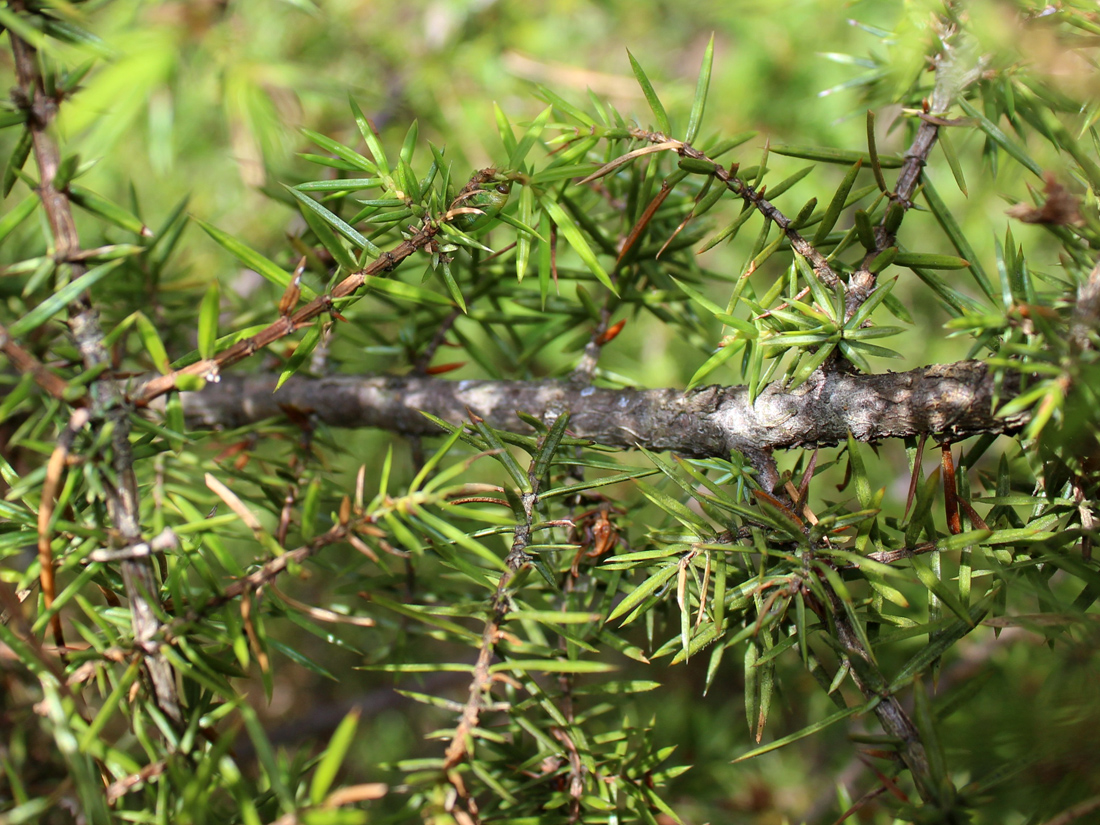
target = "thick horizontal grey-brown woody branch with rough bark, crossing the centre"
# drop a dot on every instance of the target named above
(950, 402)
